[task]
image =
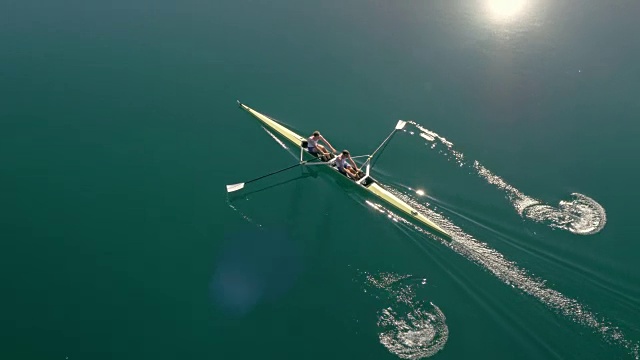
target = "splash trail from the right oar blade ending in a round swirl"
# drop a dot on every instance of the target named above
(580, 215)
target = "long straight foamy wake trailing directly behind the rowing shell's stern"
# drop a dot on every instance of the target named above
(509, 272)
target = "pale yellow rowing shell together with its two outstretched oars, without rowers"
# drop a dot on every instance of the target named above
(364, 179)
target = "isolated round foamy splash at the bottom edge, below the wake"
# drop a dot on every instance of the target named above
(409, 328)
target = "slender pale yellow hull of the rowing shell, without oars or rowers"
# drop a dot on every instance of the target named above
(367, 183)
